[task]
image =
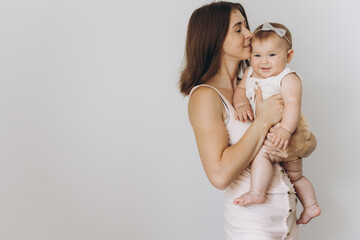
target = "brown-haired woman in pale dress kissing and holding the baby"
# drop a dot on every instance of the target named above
(217, 47)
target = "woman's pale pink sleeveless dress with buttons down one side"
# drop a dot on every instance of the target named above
(273, 220)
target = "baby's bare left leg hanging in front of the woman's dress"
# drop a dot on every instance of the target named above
(261, 175)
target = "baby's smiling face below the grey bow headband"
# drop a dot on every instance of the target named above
(269, 57)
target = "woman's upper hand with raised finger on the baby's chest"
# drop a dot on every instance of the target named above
(271, 109)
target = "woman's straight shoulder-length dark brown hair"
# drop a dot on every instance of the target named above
(207, 30)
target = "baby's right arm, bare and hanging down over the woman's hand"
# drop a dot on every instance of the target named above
(291, 91)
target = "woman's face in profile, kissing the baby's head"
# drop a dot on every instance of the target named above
(237, 44)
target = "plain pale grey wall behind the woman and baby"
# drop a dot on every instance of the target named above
(95, 141)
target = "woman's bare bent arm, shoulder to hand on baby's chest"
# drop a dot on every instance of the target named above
(222, 163)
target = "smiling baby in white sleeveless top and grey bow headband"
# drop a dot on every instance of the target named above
(271, 51)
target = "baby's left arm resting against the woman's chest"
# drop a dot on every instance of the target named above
(241, 103)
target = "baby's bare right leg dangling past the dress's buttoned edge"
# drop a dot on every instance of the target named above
(305, 191)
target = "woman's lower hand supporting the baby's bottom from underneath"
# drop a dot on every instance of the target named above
(298, 147)
